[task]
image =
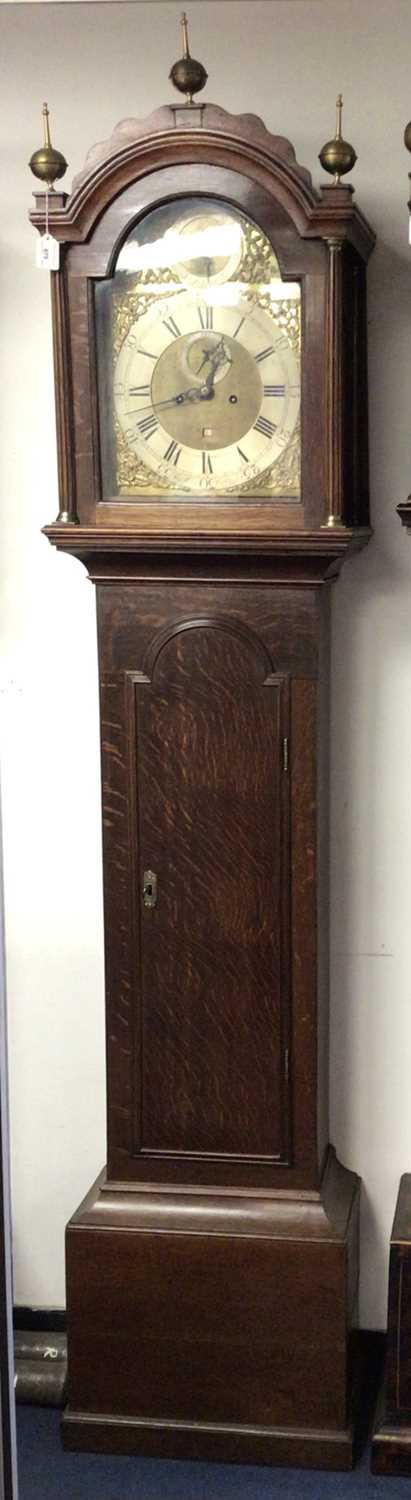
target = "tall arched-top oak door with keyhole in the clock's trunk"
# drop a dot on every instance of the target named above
(211, 823)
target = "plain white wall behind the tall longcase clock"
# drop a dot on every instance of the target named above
(287, 61)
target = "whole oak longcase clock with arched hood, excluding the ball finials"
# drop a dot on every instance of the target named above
(211, 394)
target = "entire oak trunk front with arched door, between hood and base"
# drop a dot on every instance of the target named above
(212, 997)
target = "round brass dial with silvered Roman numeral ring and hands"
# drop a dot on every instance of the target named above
(208, 395)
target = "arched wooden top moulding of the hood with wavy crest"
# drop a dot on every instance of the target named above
(175, 136)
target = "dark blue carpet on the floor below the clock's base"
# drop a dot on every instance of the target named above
(47, 1474)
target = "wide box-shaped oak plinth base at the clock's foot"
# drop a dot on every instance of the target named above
(208, 1324)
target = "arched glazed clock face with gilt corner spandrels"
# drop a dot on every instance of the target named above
(199, 361)
